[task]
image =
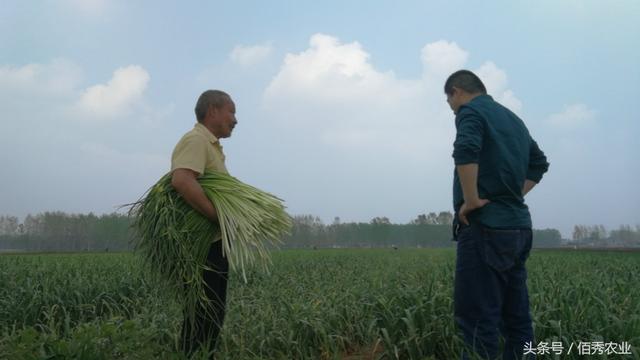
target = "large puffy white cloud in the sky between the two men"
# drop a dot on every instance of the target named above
(333, 90)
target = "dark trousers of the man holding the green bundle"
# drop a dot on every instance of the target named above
(204, 331)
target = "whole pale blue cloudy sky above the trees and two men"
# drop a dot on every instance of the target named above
(340, 104)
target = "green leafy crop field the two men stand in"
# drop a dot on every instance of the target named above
(315, 304)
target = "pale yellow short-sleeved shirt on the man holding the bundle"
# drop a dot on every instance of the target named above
(198, 150)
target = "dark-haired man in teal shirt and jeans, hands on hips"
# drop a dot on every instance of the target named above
(497, 164)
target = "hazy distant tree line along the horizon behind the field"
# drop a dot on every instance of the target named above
(59, 231)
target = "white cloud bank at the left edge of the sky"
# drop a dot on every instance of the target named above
(54, 90)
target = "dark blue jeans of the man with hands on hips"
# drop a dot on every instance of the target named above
(490, 291)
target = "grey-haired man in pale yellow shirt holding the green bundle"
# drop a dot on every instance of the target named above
(197, 151)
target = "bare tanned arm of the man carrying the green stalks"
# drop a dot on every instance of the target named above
(185, 181)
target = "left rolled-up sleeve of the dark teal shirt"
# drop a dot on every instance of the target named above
(468, 143)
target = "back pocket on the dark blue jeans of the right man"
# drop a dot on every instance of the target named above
(501, 248)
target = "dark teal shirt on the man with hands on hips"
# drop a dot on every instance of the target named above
(490, 135)
